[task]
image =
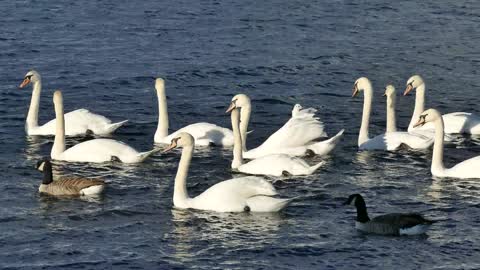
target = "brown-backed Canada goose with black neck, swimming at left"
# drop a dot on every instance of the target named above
(69, 186)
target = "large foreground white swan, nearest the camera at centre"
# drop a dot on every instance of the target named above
(235, 195)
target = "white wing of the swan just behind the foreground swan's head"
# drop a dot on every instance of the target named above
(205, 134)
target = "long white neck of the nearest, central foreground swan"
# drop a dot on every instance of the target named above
(180, 194)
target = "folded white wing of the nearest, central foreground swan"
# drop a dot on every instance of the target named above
(232, 195)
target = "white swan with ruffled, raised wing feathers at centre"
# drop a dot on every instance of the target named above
(296, 137)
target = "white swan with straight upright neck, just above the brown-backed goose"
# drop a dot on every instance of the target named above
(97, 150)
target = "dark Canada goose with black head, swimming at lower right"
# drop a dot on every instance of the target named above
(389, 224)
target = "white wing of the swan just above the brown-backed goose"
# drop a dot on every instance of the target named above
(100, 150)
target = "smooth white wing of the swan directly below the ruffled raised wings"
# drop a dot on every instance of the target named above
(277, 164)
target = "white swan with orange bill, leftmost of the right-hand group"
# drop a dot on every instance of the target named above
(387, 141)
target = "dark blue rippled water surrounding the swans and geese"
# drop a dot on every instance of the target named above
(104, 55)
